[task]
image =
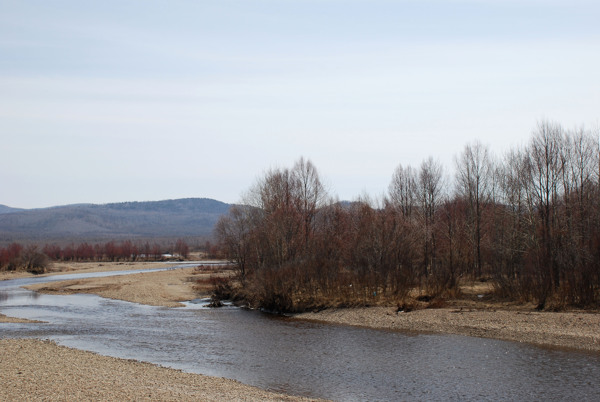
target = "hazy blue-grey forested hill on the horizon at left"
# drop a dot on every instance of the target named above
(170, 218)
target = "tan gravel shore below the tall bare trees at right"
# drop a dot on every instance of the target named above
(576, 330)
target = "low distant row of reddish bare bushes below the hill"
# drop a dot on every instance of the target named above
(35, 259)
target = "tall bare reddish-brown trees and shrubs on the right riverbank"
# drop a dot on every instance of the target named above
(529, 221)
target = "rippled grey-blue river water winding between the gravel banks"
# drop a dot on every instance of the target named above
(302, 358)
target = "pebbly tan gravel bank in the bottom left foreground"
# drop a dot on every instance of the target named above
(36, 370)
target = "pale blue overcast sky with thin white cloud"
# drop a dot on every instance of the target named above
(110, 101)
